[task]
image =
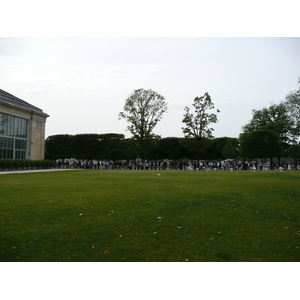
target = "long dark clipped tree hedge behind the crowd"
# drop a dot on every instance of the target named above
(115, 146)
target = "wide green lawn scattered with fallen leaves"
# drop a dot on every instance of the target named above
(140, 216)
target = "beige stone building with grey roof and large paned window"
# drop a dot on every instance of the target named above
(22, 129)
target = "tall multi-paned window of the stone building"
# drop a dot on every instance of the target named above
(13, 137)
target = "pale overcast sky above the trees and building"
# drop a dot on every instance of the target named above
(82, 83)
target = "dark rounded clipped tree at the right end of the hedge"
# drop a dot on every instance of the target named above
(260, 144)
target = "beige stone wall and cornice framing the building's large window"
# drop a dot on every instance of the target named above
(36, 130)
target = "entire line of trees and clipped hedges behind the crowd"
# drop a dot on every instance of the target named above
(273, 132)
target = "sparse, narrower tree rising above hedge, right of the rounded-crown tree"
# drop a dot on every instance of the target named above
(196, 126)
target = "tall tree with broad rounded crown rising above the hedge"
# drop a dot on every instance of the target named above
(143, 109)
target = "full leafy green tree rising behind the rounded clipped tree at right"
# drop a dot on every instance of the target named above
(274, 118)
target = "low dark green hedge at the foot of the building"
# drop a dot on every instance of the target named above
(26, 164)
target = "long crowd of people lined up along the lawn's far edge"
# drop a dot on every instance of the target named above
(138, 164)
